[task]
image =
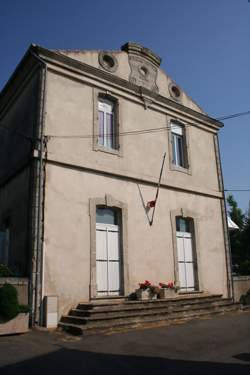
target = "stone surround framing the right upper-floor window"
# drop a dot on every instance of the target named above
(172, 166)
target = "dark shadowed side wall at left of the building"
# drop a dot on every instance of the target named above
(18, 119)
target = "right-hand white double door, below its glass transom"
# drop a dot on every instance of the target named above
(186, 263)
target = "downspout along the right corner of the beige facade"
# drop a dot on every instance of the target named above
(228, 257)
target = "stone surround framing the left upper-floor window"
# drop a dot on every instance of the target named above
(96, 147)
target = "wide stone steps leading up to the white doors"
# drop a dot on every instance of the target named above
(106, 315)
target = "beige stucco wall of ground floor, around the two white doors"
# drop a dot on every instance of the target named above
(150, 249)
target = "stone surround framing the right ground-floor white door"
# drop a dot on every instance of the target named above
(187, 214)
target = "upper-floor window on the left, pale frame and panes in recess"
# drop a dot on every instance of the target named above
(107, 136)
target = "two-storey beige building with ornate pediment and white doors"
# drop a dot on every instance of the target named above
(82, 140)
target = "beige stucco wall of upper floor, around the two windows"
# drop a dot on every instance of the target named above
(70, 113)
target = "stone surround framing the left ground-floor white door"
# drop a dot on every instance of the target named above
(109, 202)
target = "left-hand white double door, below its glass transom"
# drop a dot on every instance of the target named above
(108, 263)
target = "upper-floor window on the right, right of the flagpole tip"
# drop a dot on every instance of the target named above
(179, 156)
